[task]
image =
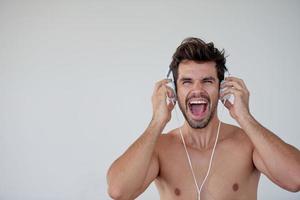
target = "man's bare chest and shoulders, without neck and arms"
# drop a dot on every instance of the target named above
(232, 176)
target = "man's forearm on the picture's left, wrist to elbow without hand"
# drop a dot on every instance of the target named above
(129, 171)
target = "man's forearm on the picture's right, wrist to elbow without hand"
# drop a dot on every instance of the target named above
(281, 159)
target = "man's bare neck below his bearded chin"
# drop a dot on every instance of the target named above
(203, 138)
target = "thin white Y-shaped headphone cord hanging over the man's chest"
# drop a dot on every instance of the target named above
(189, 159)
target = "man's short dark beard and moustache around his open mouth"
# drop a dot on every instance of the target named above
(198, 124)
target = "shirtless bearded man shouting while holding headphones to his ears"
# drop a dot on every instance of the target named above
(241, 153)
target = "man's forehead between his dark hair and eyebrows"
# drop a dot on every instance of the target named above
(193, 69)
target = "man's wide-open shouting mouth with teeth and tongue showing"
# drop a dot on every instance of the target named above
(198, 107)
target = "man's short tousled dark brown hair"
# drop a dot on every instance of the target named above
(197, 50)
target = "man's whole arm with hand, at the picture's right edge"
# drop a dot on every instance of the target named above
(278, 160)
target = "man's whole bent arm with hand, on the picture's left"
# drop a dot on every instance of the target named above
(132, 172)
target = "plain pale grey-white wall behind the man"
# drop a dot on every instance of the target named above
(76, 79)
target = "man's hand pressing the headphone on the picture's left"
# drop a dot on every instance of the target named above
(161, 108)
